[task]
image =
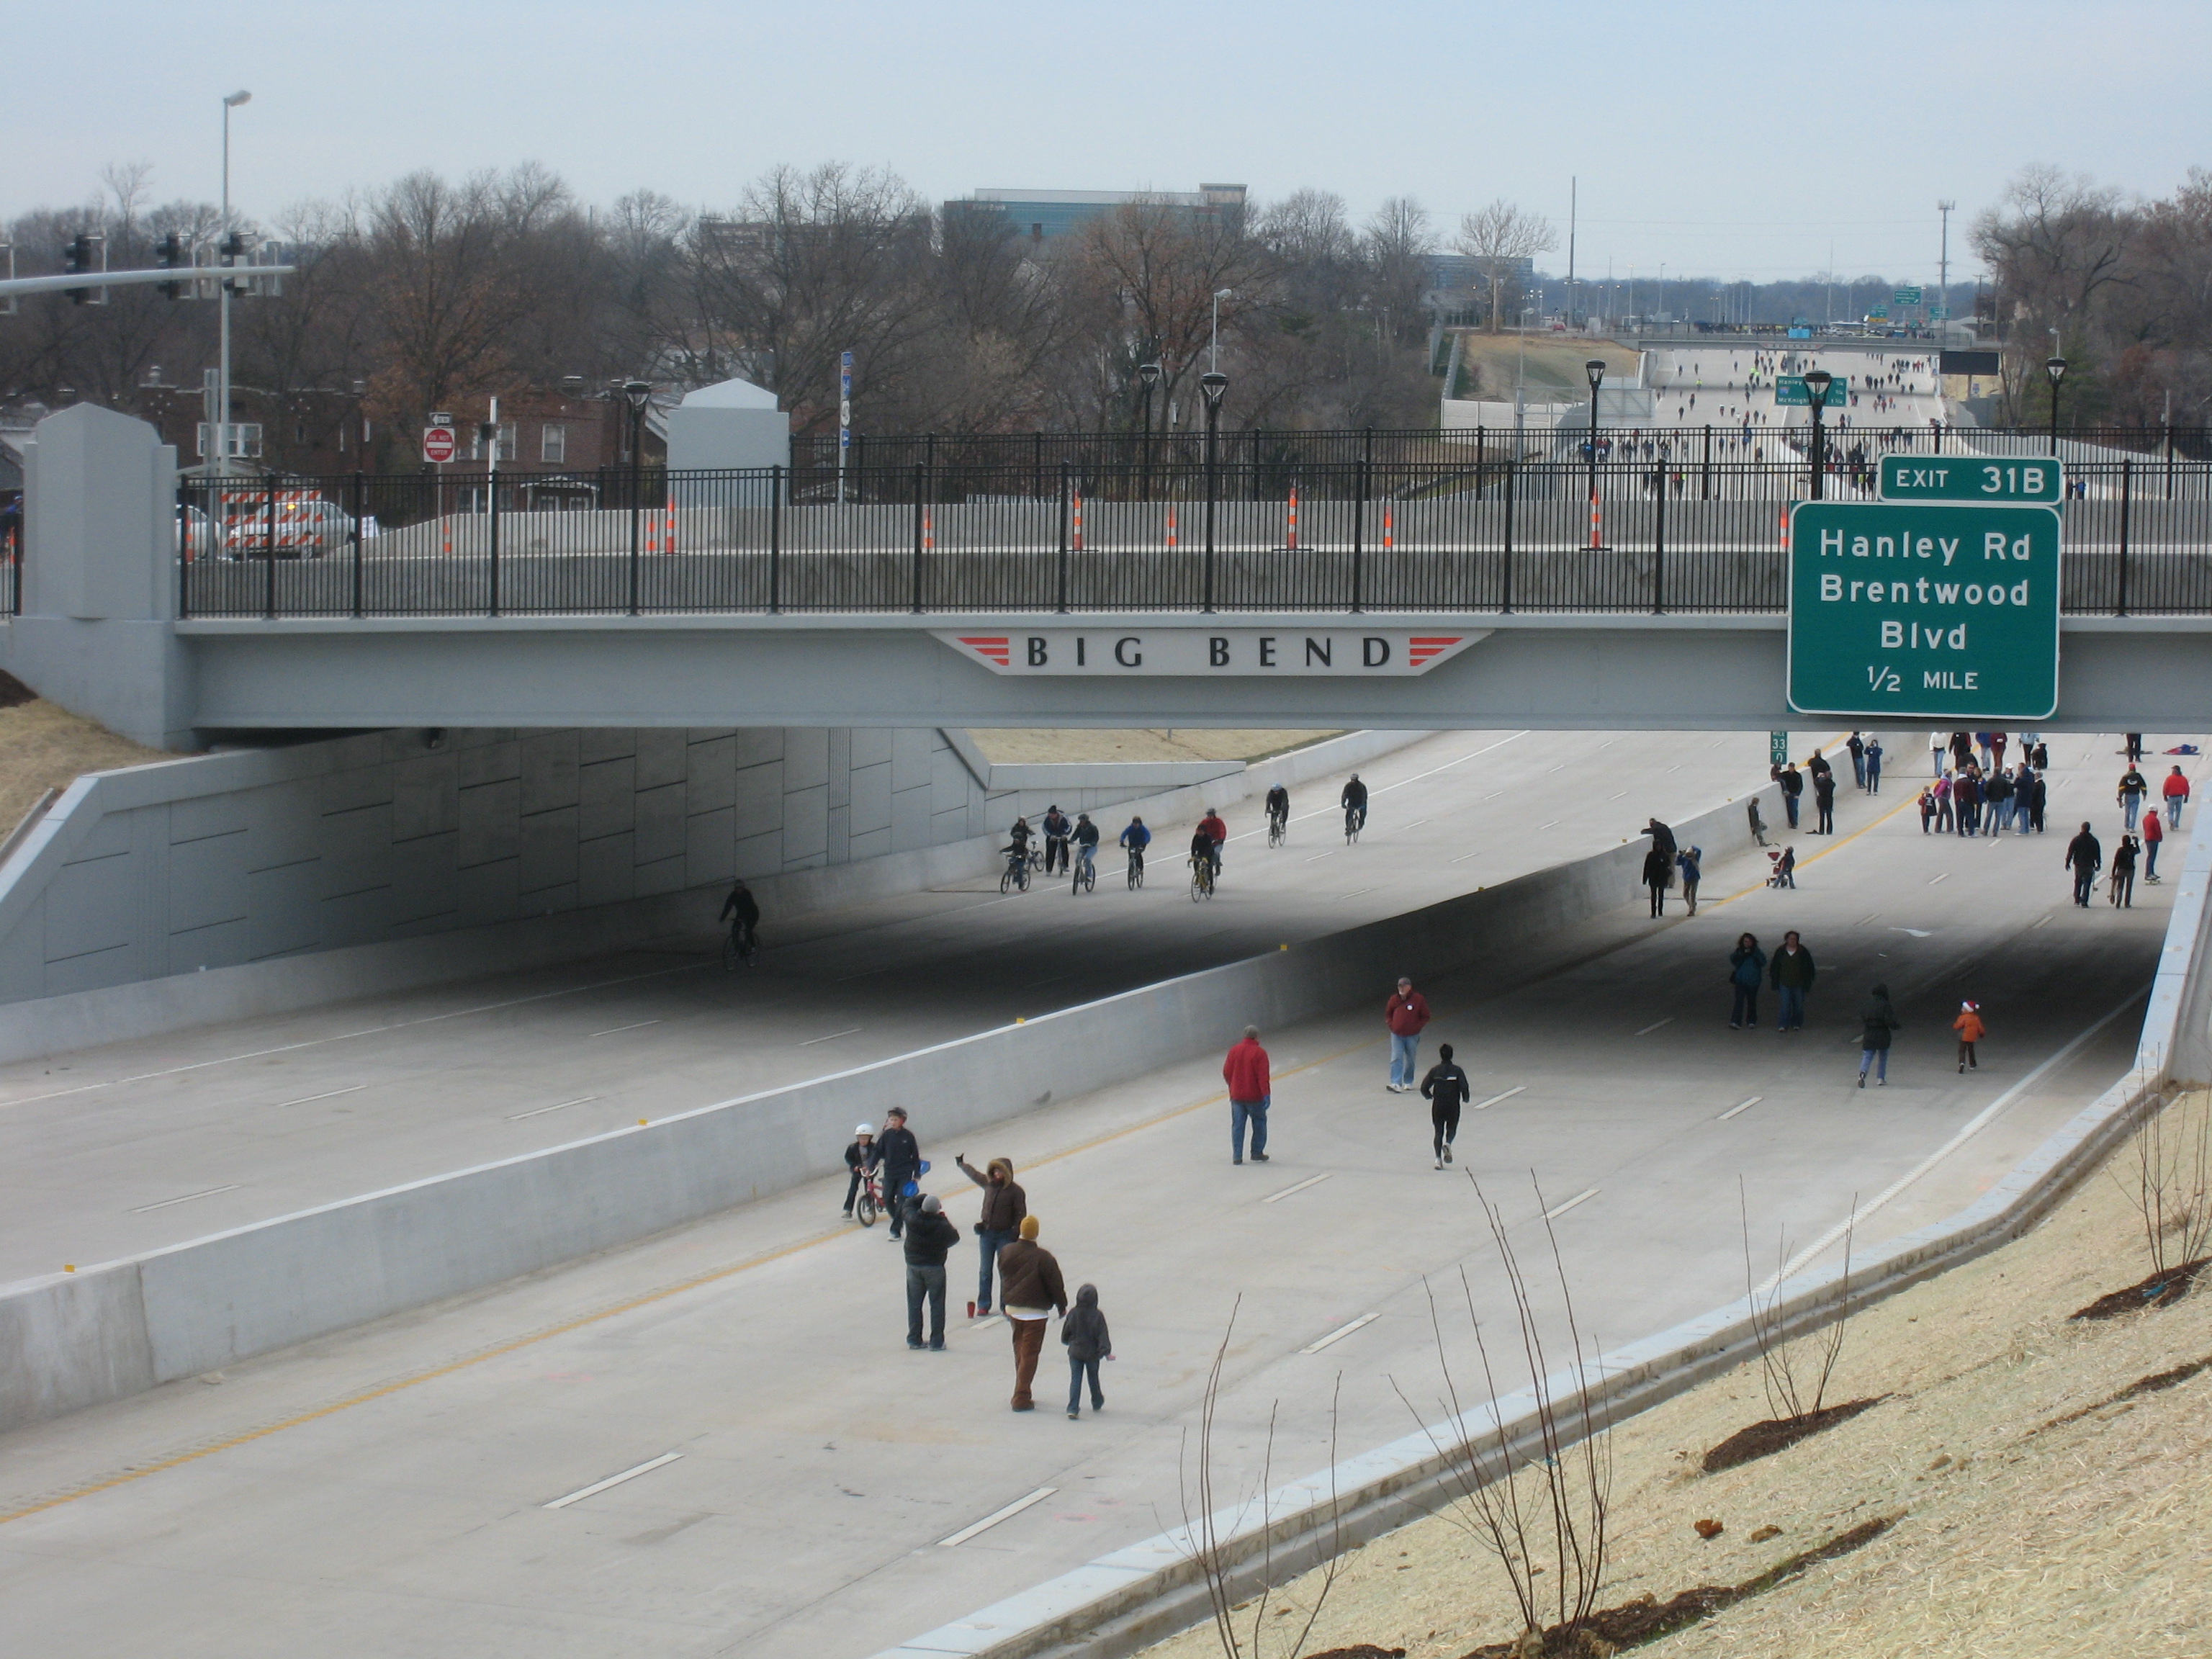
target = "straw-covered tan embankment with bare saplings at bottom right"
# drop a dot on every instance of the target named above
(2047, 1488)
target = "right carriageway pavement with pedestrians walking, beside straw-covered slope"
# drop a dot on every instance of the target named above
(716, 1443)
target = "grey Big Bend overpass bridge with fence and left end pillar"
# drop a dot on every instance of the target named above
(1485, 596)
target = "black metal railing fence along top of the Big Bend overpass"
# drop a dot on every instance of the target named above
(1651, 523)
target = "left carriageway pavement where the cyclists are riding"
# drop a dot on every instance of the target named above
(140, 1145)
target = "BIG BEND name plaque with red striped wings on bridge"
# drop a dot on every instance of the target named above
(1200, 654)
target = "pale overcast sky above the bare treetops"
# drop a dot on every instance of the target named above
(1720, 138)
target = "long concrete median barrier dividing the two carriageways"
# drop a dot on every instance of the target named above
(222, 1300)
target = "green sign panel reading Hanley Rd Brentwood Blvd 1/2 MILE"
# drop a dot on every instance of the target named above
(1926, 612)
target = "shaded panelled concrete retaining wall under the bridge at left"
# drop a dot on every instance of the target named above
(253, 881)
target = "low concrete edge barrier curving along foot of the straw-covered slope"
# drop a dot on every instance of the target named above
(1147, 1592)
